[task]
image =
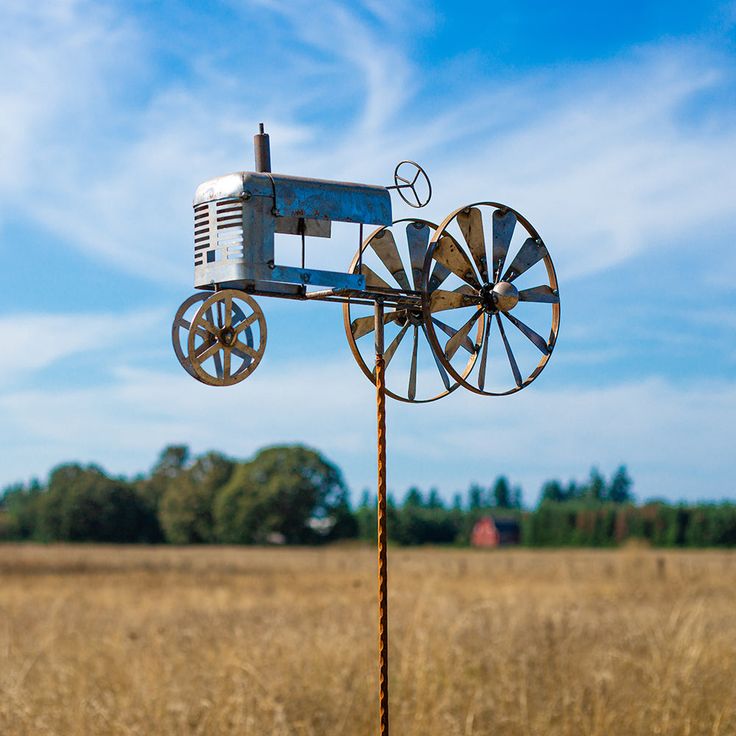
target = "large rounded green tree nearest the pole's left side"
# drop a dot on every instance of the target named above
(289, 491)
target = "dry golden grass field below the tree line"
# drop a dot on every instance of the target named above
(107, 640)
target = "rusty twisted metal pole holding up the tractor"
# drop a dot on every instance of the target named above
(382, 539)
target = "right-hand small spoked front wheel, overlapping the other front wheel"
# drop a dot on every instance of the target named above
(227, 338)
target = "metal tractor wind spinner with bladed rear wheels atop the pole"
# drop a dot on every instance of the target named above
(446, 289)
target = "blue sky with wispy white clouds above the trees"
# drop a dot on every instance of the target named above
(613, 128)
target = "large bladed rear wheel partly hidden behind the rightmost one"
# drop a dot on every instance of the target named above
(393, 258)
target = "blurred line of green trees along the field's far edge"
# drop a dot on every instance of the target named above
(294, 495)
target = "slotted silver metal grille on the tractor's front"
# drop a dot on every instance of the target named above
(218, 231)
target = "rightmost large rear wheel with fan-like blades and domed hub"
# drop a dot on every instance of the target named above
(499, 284)
